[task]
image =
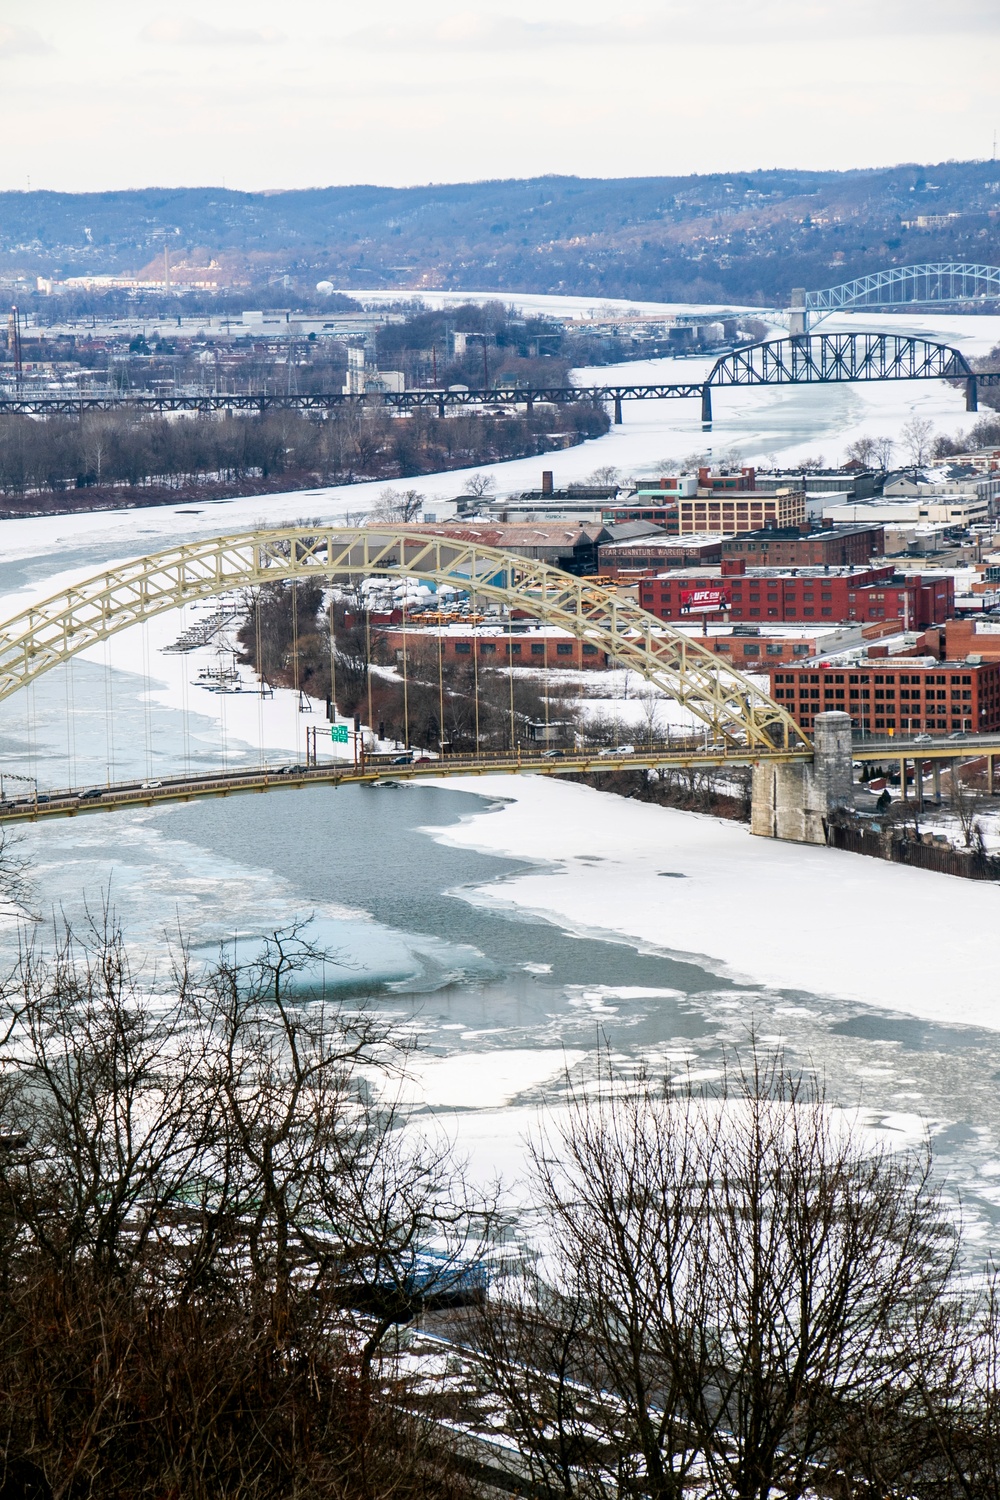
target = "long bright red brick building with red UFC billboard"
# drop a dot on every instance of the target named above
(807, 595)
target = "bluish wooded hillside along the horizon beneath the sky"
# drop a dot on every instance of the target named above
(746, 238)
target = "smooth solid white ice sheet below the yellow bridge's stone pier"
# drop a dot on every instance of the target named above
(752, 908)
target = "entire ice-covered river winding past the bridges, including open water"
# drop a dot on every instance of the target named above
(512, 926)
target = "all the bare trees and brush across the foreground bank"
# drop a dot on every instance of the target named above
(214, 1219)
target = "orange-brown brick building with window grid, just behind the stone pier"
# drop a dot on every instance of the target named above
(897, 694)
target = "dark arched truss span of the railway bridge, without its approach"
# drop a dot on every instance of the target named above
(831, 358)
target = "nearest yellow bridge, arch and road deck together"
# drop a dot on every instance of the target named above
(743, 724)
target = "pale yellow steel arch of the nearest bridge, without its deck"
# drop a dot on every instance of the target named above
(59, 628)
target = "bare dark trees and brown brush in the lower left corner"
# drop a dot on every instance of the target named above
(209, 1223)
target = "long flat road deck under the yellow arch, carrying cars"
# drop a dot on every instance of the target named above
(268, 779)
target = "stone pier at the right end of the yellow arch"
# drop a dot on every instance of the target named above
(795, 802)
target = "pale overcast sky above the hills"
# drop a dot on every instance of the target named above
(128, 94)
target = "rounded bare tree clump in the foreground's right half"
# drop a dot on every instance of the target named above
(741, 1297)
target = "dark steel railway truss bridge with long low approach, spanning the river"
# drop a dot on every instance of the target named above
(801, 361)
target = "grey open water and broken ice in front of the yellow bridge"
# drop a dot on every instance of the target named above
(501, 1004)
